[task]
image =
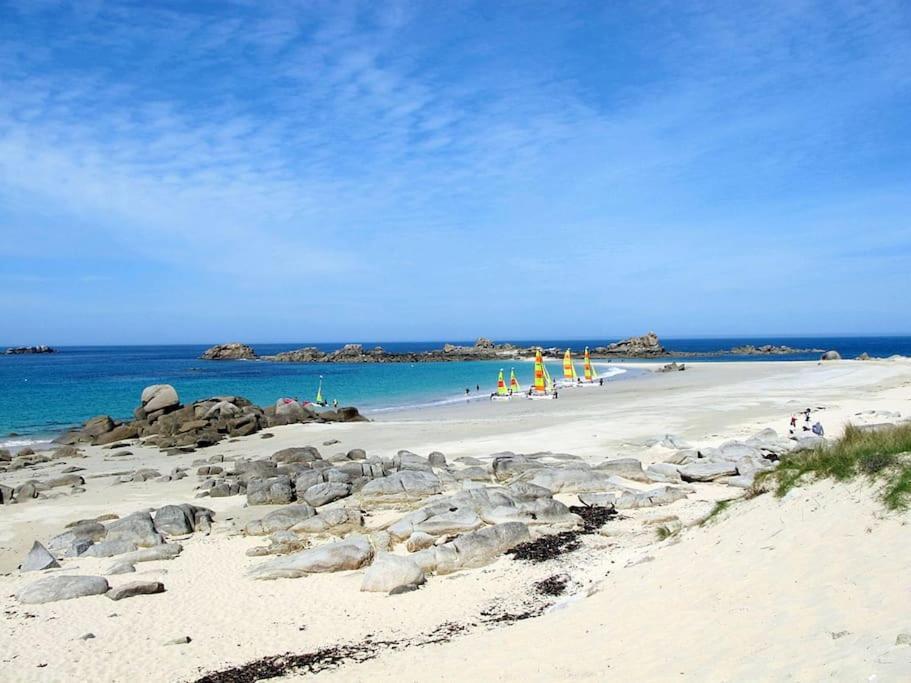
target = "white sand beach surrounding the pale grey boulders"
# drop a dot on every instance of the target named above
(809, 587)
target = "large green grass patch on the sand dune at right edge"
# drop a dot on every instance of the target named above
(882, 455)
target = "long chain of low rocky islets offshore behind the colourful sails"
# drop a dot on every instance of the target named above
(646, 346)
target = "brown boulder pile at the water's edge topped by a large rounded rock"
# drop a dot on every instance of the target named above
(161, 420)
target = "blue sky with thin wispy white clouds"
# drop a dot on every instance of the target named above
(198, 172)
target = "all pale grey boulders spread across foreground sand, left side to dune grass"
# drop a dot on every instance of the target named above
(458, 515)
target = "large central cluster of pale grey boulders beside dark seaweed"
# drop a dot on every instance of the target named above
(500, 505)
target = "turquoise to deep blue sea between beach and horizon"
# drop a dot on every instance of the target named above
(42, 395)
